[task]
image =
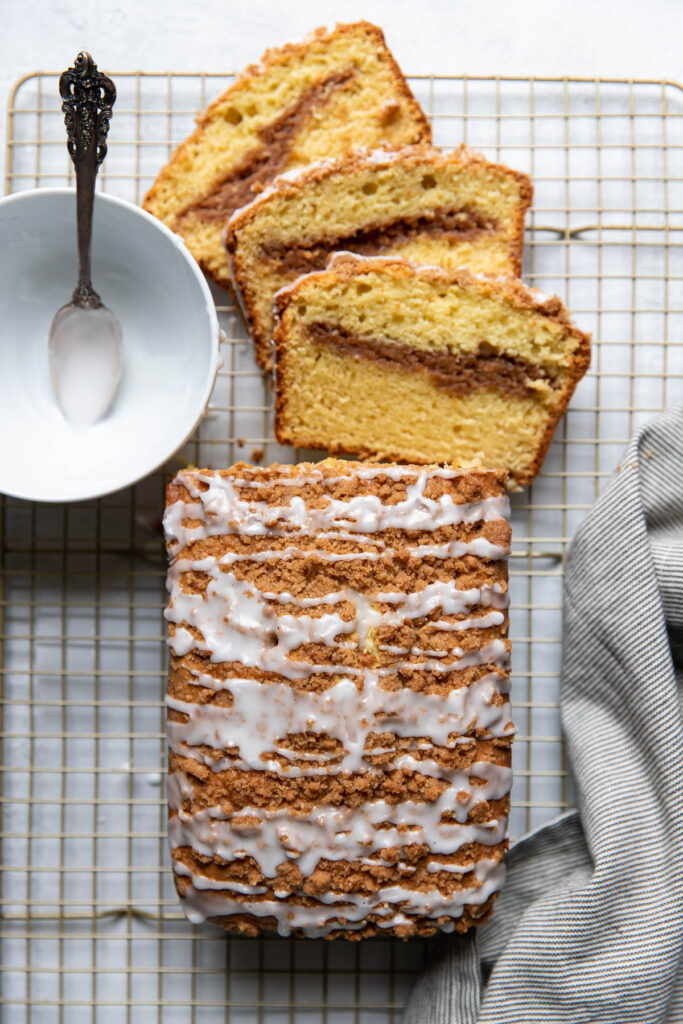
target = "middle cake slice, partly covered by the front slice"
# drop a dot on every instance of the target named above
(452, 210)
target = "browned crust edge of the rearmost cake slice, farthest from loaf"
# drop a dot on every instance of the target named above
(279, 57)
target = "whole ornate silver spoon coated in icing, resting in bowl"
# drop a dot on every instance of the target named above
(84, 345)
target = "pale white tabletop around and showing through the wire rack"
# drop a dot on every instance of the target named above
(619, 38)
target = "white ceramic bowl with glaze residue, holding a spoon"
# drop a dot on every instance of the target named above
(146, 276)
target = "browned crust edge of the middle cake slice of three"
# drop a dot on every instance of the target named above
(357, 161)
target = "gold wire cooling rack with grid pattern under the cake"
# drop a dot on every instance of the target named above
(92, 930)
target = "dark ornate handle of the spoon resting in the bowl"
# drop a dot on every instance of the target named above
(88, 101)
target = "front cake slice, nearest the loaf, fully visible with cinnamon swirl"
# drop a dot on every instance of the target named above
(387, 360)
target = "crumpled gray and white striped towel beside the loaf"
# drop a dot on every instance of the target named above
(590, 924)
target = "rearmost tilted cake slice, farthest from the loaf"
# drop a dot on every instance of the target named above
(336, 90)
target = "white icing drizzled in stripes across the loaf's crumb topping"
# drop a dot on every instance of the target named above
(235, 622)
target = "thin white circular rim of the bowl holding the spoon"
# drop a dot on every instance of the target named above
(27, 195)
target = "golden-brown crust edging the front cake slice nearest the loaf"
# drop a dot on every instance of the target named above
(348, 267)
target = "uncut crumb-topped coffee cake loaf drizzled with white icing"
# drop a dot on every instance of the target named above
(338, 715)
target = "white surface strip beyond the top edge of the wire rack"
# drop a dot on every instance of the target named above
(621, 38)
